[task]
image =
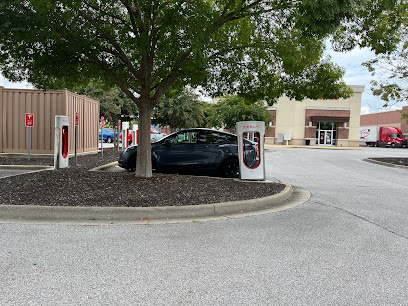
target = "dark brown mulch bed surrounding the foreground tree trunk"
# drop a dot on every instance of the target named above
(76, 186)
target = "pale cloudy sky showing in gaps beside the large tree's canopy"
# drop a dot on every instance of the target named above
(356, 74)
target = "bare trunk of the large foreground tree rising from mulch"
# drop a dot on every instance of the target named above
(144, 150)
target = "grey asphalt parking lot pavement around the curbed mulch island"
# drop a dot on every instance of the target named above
(347, 245)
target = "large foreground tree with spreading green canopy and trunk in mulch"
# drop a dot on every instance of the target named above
(260, 49)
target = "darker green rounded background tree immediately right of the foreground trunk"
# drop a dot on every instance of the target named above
(179, 110)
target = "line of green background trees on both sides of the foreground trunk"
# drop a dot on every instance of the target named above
(179, 110)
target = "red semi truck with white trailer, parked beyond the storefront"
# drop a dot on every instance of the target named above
(382, 136)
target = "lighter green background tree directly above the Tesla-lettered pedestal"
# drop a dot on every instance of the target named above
(231, 109)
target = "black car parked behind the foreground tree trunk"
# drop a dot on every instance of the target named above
(195, 151)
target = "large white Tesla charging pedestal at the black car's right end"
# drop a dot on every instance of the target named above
(251, 162)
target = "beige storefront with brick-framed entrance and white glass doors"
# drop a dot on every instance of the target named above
(316, 122)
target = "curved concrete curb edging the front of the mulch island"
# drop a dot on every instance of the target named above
(290, 197)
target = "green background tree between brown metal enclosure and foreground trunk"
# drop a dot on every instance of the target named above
(114, 103)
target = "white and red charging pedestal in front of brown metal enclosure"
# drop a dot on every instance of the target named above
(61, 145)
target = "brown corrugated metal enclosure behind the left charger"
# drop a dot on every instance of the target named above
(45, 105)
